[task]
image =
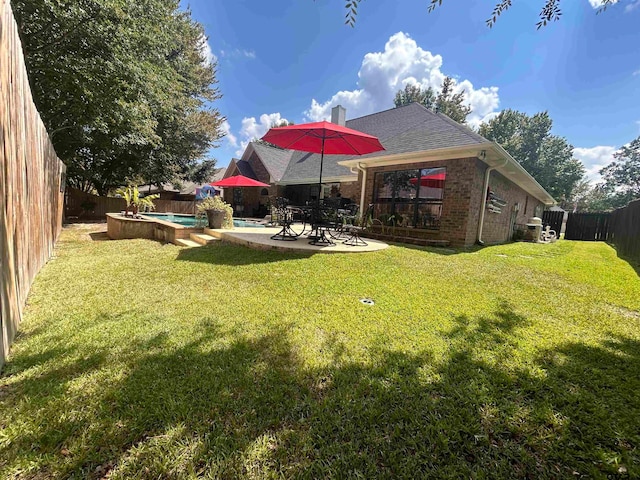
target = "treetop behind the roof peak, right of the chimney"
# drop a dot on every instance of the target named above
(447, 102)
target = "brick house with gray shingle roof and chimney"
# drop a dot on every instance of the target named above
(436, 181)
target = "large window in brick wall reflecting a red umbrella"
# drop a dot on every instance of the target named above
(410, 198)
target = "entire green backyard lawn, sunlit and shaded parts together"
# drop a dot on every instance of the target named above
(142, 360)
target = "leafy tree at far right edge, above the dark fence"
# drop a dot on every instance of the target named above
(622, 176)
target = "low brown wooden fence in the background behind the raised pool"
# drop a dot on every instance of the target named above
(86, 206)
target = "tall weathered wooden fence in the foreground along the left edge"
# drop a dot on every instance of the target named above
(31, 184)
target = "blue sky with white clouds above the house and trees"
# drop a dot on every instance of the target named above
(296, 59)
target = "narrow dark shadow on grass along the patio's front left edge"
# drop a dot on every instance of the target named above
(224, 254)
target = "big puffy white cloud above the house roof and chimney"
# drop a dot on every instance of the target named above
(402, 62)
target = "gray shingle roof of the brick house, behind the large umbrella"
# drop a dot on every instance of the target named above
(411, 128)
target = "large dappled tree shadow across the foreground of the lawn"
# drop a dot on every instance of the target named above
(229, 406)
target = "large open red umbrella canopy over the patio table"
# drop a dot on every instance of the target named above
(323, 137)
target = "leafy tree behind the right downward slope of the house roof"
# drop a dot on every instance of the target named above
(548, 158)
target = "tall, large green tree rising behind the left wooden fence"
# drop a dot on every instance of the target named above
(124, 88)
